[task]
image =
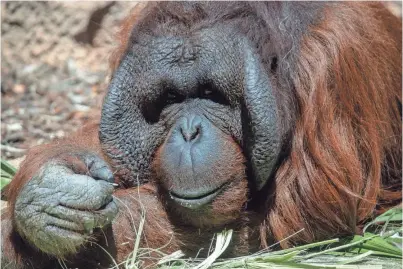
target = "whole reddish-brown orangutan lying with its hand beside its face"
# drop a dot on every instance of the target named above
(269, 118)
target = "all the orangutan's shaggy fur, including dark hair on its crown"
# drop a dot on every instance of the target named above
(342, 81)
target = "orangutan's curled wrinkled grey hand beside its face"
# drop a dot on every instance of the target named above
(57, 210)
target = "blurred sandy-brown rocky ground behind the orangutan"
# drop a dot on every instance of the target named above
(54, 67)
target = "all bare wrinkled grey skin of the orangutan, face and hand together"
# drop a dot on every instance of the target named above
(189, 109)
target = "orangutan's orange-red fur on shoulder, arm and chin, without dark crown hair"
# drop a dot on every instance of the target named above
(345, 157)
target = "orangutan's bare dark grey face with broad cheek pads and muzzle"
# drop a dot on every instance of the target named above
(192, 94)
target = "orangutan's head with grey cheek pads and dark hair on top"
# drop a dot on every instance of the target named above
(187, 83)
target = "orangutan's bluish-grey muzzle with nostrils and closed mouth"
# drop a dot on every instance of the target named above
(192, 150)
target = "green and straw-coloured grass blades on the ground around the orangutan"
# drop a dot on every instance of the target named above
(381, 244)
